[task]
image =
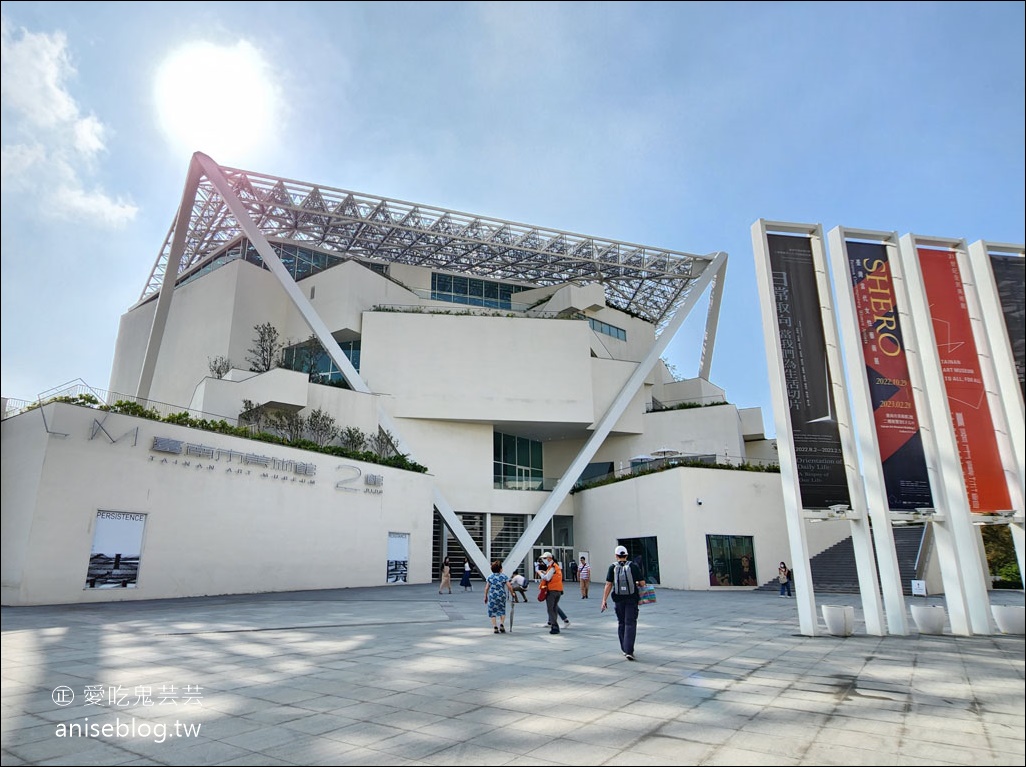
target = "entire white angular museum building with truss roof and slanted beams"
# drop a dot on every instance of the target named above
(520, 366)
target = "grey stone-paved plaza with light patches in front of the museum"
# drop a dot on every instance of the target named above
(403, 676)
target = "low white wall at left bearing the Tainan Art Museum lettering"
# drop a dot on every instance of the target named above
(209, 530)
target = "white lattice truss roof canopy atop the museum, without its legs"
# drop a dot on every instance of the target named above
(645, 281)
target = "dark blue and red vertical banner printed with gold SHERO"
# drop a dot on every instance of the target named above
(902, 458)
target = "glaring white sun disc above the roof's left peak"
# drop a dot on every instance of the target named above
(219, 100)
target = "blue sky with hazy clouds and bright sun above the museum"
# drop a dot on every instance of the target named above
(676, 126)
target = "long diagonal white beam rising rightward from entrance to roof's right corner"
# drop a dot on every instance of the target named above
(613, 414)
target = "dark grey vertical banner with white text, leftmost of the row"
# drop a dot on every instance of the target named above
(819, 459)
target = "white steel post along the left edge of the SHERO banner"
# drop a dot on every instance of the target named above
(877, 496)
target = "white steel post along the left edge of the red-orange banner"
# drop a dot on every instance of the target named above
(971, 600)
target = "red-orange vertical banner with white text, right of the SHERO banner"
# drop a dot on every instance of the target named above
(972, 422)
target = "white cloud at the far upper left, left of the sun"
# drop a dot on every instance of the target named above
(51, 148)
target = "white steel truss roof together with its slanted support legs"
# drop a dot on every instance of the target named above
(220, 207)
